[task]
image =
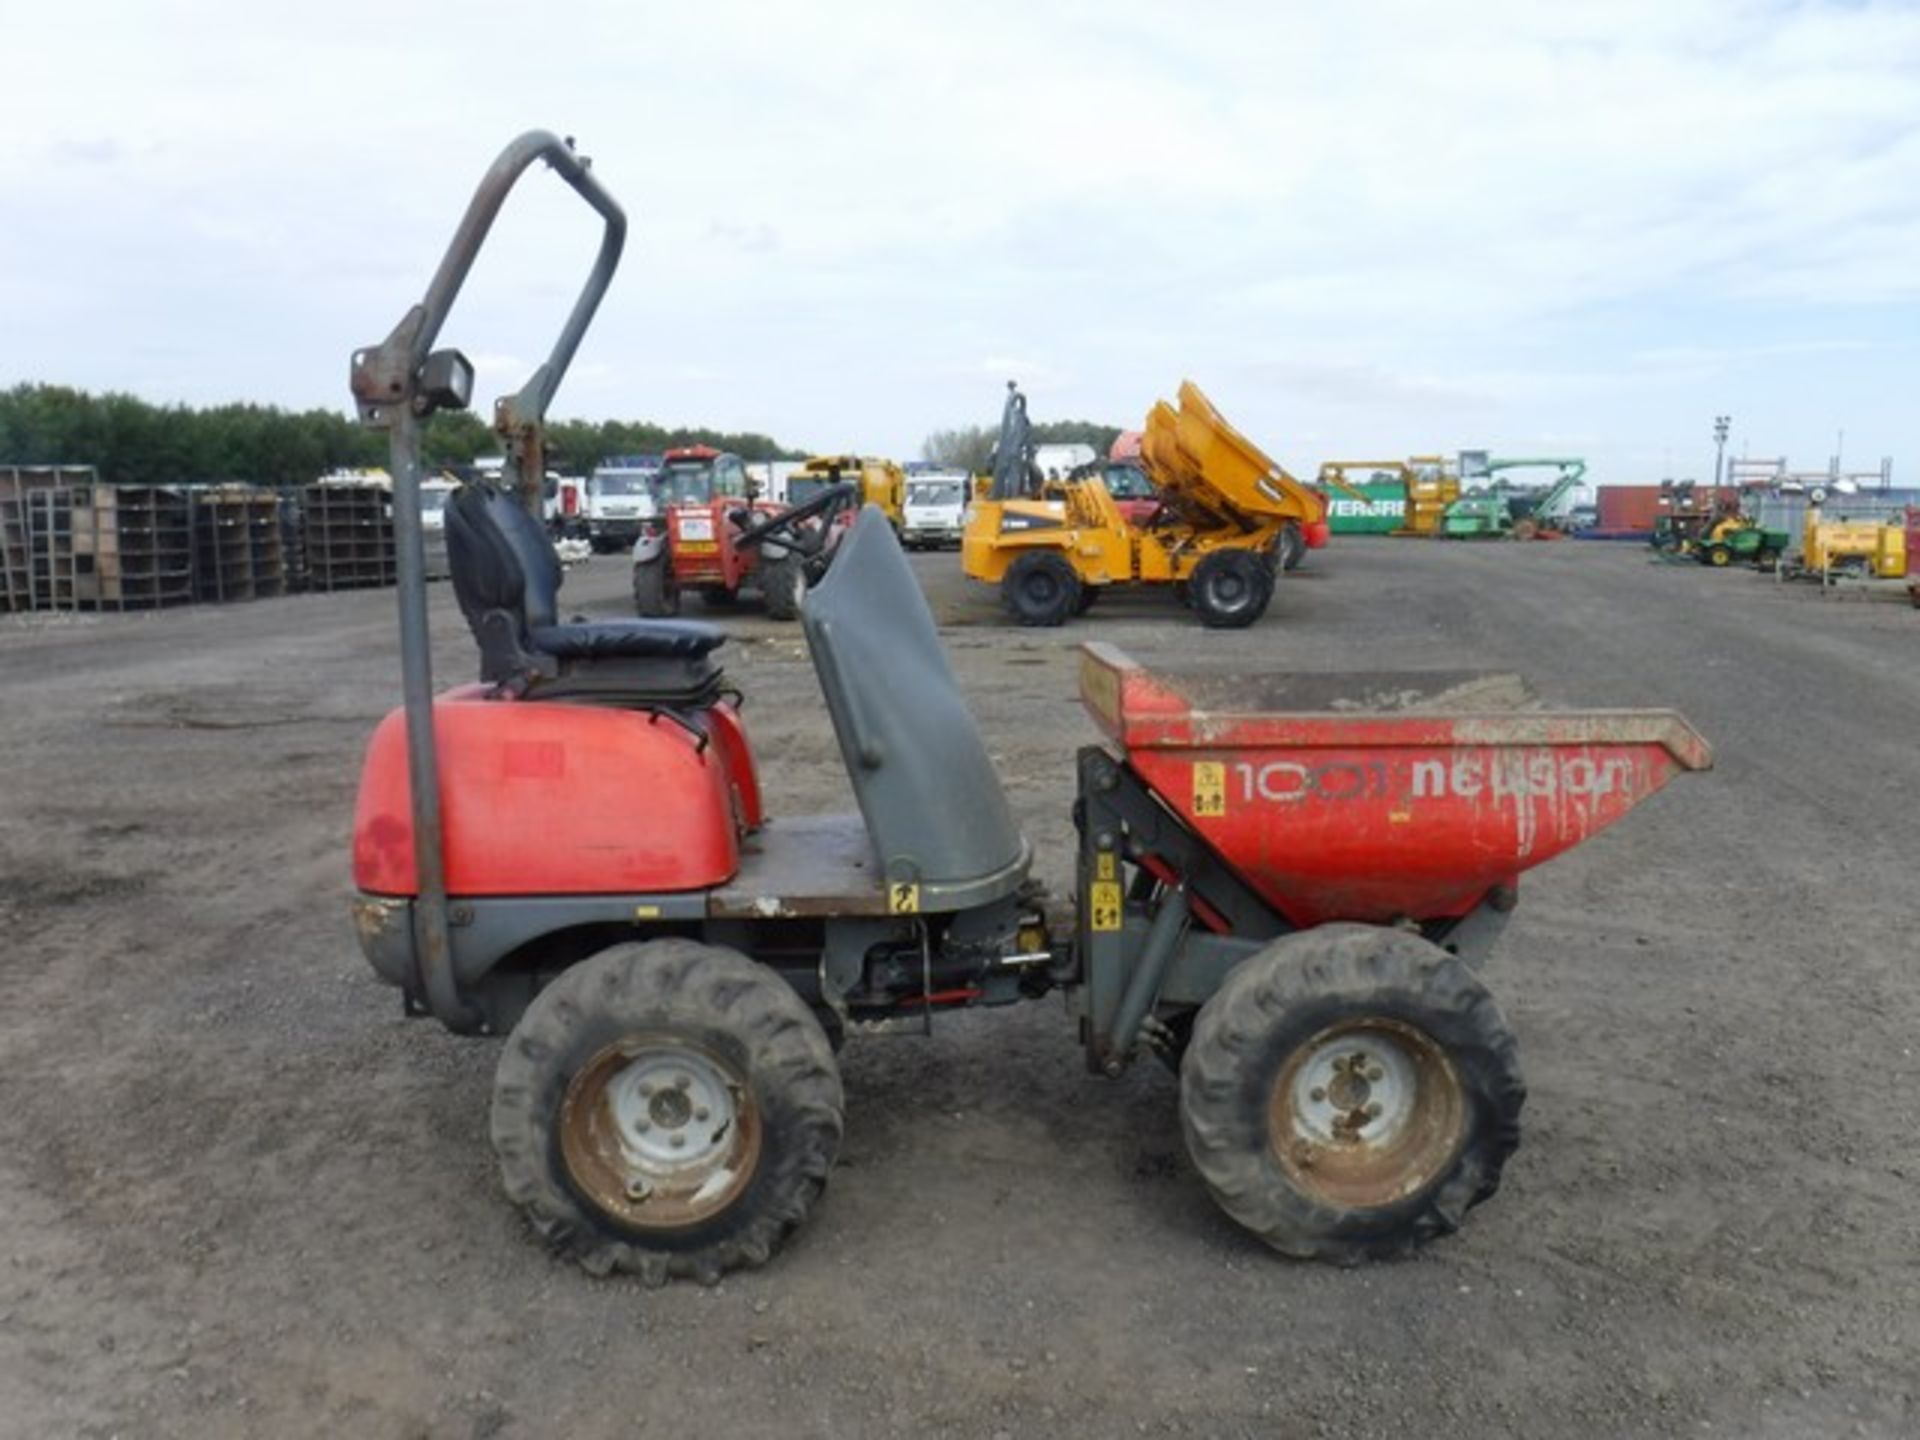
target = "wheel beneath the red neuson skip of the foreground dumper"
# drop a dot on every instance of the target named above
(1324, 1036)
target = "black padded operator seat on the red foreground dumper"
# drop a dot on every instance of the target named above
(508, 581)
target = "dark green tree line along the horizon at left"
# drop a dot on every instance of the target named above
(135, 443)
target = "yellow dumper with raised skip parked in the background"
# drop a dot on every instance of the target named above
(1224, 521)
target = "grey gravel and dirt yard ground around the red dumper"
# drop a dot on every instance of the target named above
(243, 1195)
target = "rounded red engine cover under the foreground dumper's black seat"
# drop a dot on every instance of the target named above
(560, 800)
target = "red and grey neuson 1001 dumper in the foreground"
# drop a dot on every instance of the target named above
(1284, 886)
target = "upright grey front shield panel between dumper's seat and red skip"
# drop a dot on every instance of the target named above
(919, 767)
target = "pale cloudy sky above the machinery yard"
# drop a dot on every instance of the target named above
(1366, 229)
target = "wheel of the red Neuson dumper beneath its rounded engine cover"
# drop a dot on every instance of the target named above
(667, 1109)
